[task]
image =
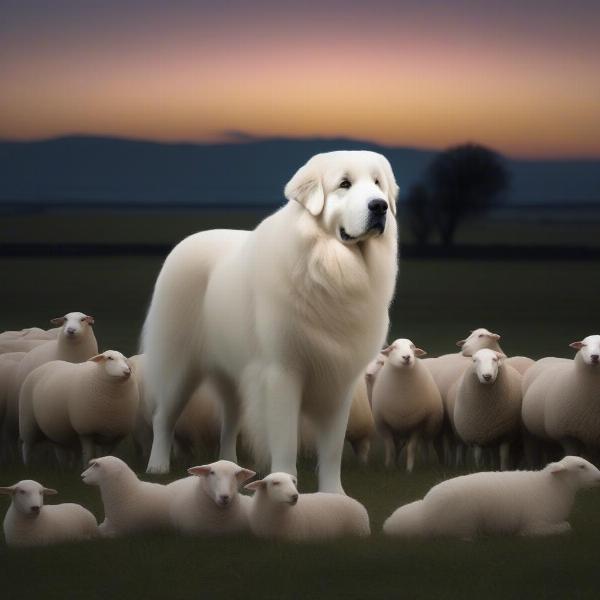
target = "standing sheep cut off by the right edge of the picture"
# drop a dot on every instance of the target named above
(561, 403)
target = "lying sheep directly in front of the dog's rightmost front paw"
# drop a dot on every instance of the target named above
(278, 511)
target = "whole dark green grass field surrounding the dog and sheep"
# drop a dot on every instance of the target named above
(538, 307)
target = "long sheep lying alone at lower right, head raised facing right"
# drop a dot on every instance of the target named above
(527, 503)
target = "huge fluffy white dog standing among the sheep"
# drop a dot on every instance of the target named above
(282, 320)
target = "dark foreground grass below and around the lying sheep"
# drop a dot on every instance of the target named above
(165, 566)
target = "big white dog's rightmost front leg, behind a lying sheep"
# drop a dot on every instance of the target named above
(331, 433)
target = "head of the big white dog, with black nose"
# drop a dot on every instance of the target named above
(350, 192)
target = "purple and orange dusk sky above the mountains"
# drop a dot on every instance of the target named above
(520, 76)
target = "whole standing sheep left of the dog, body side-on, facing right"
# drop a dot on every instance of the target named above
(95, 401)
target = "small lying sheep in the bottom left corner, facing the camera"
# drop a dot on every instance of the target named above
(28, 522)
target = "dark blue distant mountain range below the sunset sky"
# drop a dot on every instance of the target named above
(119, 172)
